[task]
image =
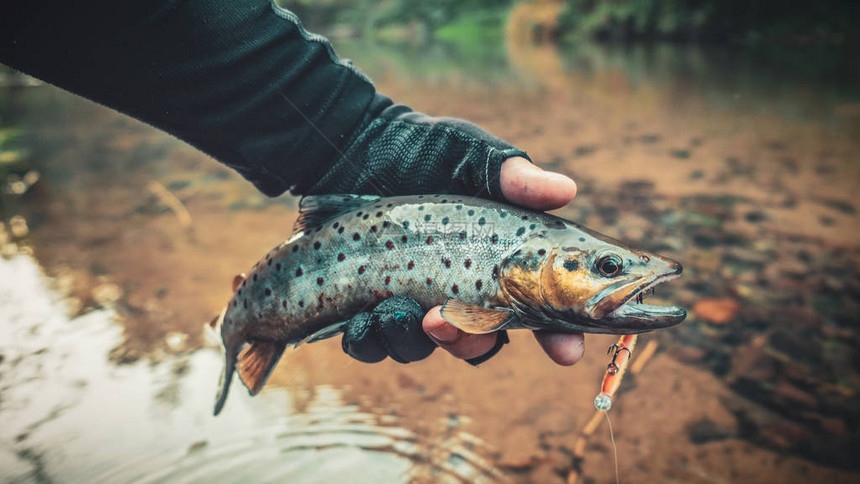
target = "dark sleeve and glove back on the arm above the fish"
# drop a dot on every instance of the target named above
(245, 83)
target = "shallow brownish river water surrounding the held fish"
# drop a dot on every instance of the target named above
(741, 164)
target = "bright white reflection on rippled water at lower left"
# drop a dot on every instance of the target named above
(68, 415)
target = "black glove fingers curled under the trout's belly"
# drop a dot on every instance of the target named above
(393, 329)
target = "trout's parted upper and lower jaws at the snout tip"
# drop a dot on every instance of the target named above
(631, 315)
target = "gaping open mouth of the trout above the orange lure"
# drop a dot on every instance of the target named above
(633, 309)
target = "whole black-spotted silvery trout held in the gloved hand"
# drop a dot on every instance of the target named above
(490, 265)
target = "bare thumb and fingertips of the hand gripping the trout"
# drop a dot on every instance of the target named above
(524, 184)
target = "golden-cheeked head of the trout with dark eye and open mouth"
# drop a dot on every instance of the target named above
(579, 280)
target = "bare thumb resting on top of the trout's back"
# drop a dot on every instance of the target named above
(526, 184)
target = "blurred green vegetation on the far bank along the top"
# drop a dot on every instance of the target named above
(474, 21)
